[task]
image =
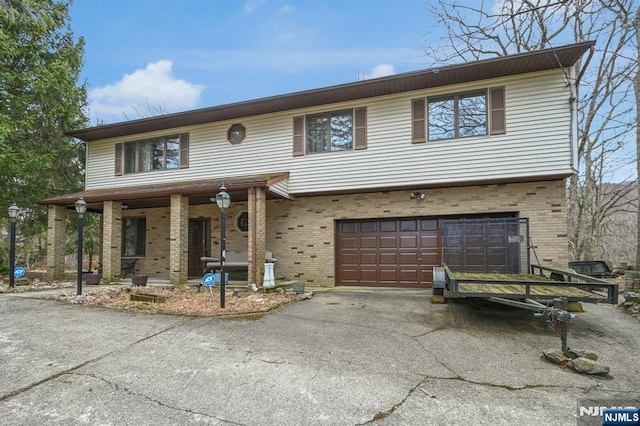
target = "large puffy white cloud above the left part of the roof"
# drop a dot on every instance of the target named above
(144, 92)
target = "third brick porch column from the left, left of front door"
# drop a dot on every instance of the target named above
(178, 240)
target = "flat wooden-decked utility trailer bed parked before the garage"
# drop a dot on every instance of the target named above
(535, 291)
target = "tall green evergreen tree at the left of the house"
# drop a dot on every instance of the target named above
(40, 99)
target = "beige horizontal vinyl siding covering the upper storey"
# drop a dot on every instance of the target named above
(537, 143)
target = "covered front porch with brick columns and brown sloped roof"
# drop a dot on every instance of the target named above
(180, 225)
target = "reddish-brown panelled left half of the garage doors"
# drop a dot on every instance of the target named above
(387, 253)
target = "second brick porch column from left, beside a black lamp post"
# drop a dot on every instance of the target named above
(111, 240)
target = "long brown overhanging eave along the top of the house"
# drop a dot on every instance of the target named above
(552, 58)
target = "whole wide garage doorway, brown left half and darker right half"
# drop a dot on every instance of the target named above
(401, 252)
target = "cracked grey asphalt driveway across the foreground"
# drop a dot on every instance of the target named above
(341, 358)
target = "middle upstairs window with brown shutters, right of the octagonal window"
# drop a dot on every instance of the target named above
(344, 130)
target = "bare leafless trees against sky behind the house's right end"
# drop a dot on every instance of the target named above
(606, 130)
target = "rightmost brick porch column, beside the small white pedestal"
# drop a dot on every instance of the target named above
(257, 235)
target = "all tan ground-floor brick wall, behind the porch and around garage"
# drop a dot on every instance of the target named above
(300, 232)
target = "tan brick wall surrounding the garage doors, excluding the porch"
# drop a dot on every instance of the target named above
(301, 232)
